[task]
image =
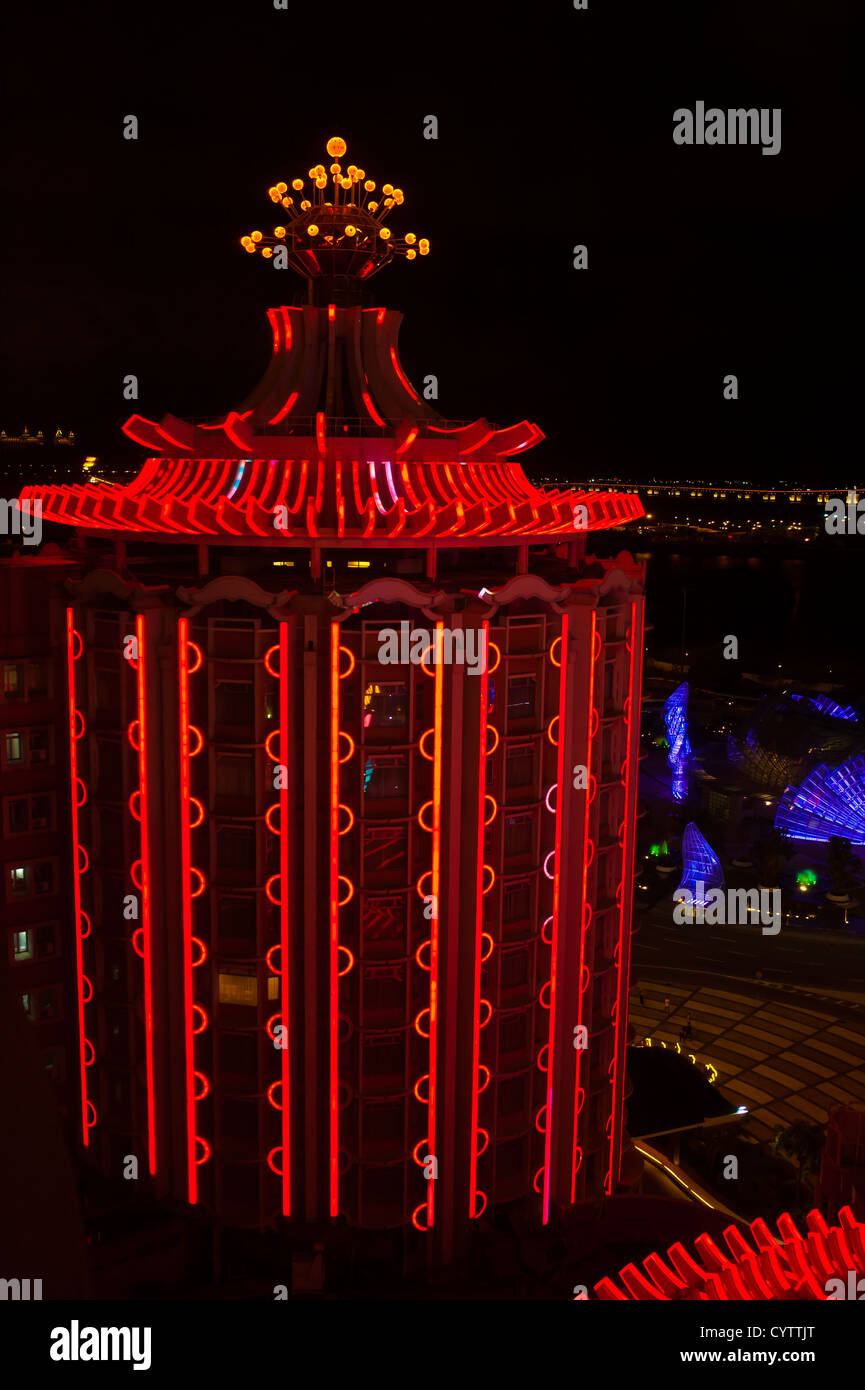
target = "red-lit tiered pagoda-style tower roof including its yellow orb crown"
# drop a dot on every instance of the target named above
(334, 443)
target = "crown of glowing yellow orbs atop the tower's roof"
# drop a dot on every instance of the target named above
(337, 227)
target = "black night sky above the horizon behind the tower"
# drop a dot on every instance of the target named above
(556, 129)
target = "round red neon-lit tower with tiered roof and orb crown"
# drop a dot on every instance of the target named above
(341, 924)
